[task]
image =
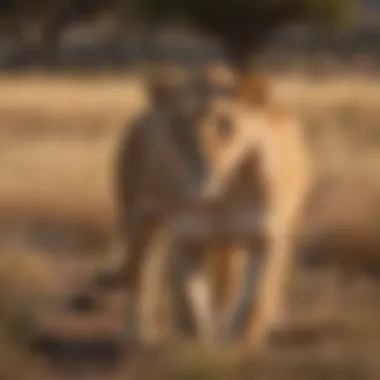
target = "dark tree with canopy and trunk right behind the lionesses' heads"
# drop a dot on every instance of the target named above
(243, 26)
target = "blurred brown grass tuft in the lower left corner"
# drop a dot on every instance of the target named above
(24, 279)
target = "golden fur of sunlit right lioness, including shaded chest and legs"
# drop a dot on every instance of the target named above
(271, 184)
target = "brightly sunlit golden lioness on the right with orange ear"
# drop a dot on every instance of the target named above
(249, 130)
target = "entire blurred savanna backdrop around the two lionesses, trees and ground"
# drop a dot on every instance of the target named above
(70, 75)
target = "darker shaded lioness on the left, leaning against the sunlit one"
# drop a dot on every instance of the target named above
(160, 167)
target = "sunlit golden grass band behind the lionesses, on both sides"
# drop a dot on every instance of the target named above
(50, 161)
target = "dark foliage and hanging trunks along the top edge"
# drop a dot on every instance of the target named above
(241, 25)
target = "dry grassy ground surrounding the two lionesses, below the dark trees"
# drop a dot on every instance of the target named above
(57, 139)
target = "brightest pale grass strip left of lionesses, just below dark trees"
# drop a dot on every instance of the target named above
(68, 96)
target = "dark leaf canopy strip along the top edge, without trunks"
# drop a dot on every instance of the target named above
(216, 16)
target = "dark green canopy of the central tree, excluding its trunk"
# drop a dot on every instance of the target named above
(213, 15)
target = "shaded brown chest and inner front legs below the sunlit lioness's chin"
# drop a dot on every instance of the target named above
(211, 236)
